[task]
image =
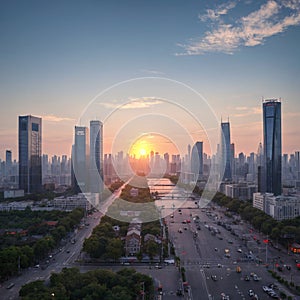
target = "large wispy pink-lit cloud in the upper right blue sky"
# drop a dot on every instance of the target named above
(251, 30)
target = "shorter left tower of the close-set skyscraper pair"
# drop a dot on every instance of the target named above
(79, 159)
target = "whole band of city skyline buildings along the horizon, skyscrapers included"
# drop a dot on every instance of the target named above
(260, 176)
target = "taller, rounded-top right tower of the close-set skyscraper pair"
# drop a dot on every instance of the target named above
(96, 156)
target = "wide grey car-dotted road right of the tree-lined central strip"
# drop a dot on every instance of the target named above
(204, 258)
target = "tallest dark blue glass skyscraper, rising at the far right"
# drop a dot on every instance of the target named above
(272, 145)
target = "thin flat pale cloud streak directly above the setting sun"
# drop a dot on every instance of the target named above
(134, 103)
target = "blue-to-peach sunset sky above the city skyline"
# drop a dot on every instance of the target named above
(171, 69)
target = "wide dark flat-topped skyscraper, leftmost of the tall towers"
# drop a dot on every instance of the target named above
(30, 150)
